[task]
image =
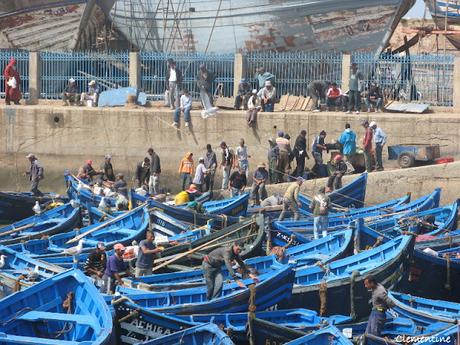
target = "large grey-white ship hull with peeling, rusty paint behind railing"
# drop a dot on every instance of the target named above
(235, 25)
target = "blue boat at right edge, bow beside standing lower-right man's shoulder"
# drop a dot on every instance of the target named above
(423, 310)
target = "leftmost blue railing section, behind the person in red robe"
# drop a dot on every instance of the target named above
(22, 58)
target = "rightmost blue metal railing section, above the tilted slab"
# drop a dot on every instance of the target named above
(423, 78)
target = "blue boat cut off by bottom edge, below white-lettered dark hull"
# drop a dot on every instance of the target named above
(207, 334)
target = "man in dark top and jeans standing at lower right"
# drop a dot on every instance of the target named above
(380, 304)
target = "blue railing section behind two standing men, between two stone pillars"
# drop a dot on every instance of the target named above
(154, 66)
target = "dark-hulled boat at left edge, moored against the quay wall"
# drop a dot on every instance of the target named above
(15, 206)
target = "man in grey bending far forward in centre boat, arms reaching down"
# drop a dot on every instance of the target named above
(212, 269)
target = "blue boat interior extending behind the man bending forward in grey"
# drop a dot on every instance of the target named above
(323, 250)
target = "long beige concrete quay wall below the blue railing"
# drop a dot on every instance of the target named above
(64, 137)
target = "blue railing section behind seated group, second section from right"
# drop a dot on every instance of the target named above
(293, 71)
